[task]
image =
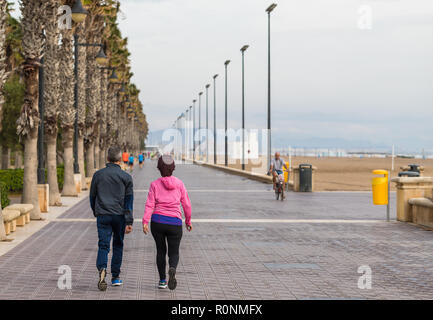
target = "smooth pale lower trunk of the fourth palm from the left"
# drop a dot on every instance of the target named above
(69, 189)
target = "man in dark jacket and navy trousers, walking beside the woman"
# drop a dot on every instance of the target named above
(111, 199)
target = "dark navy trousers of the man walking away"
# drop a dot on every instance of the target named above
(110, 225)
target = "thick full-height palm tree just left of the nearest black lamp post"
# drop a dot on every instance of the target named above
(32, 12)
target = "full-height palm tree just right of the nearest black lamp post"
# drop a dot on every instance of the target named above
(51, 98)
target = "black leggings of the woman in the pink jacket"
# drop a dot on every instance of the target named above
(163, 234)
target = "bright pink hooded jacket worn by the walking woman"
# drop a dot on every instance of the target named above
(165, 197)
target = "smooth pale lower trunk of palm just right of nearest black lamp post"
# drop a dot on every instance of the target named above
(55, 199)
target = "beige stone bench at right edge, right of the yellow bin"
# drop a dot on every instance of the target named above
(408, 188)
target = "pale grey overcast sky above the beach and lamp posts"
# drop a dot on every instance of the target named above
(330, 78)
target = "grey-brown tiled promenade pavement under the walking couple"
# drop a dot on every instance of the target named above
(236, 260)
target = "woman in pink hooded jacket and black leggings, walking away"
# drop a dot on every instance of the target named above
(163, 211)
